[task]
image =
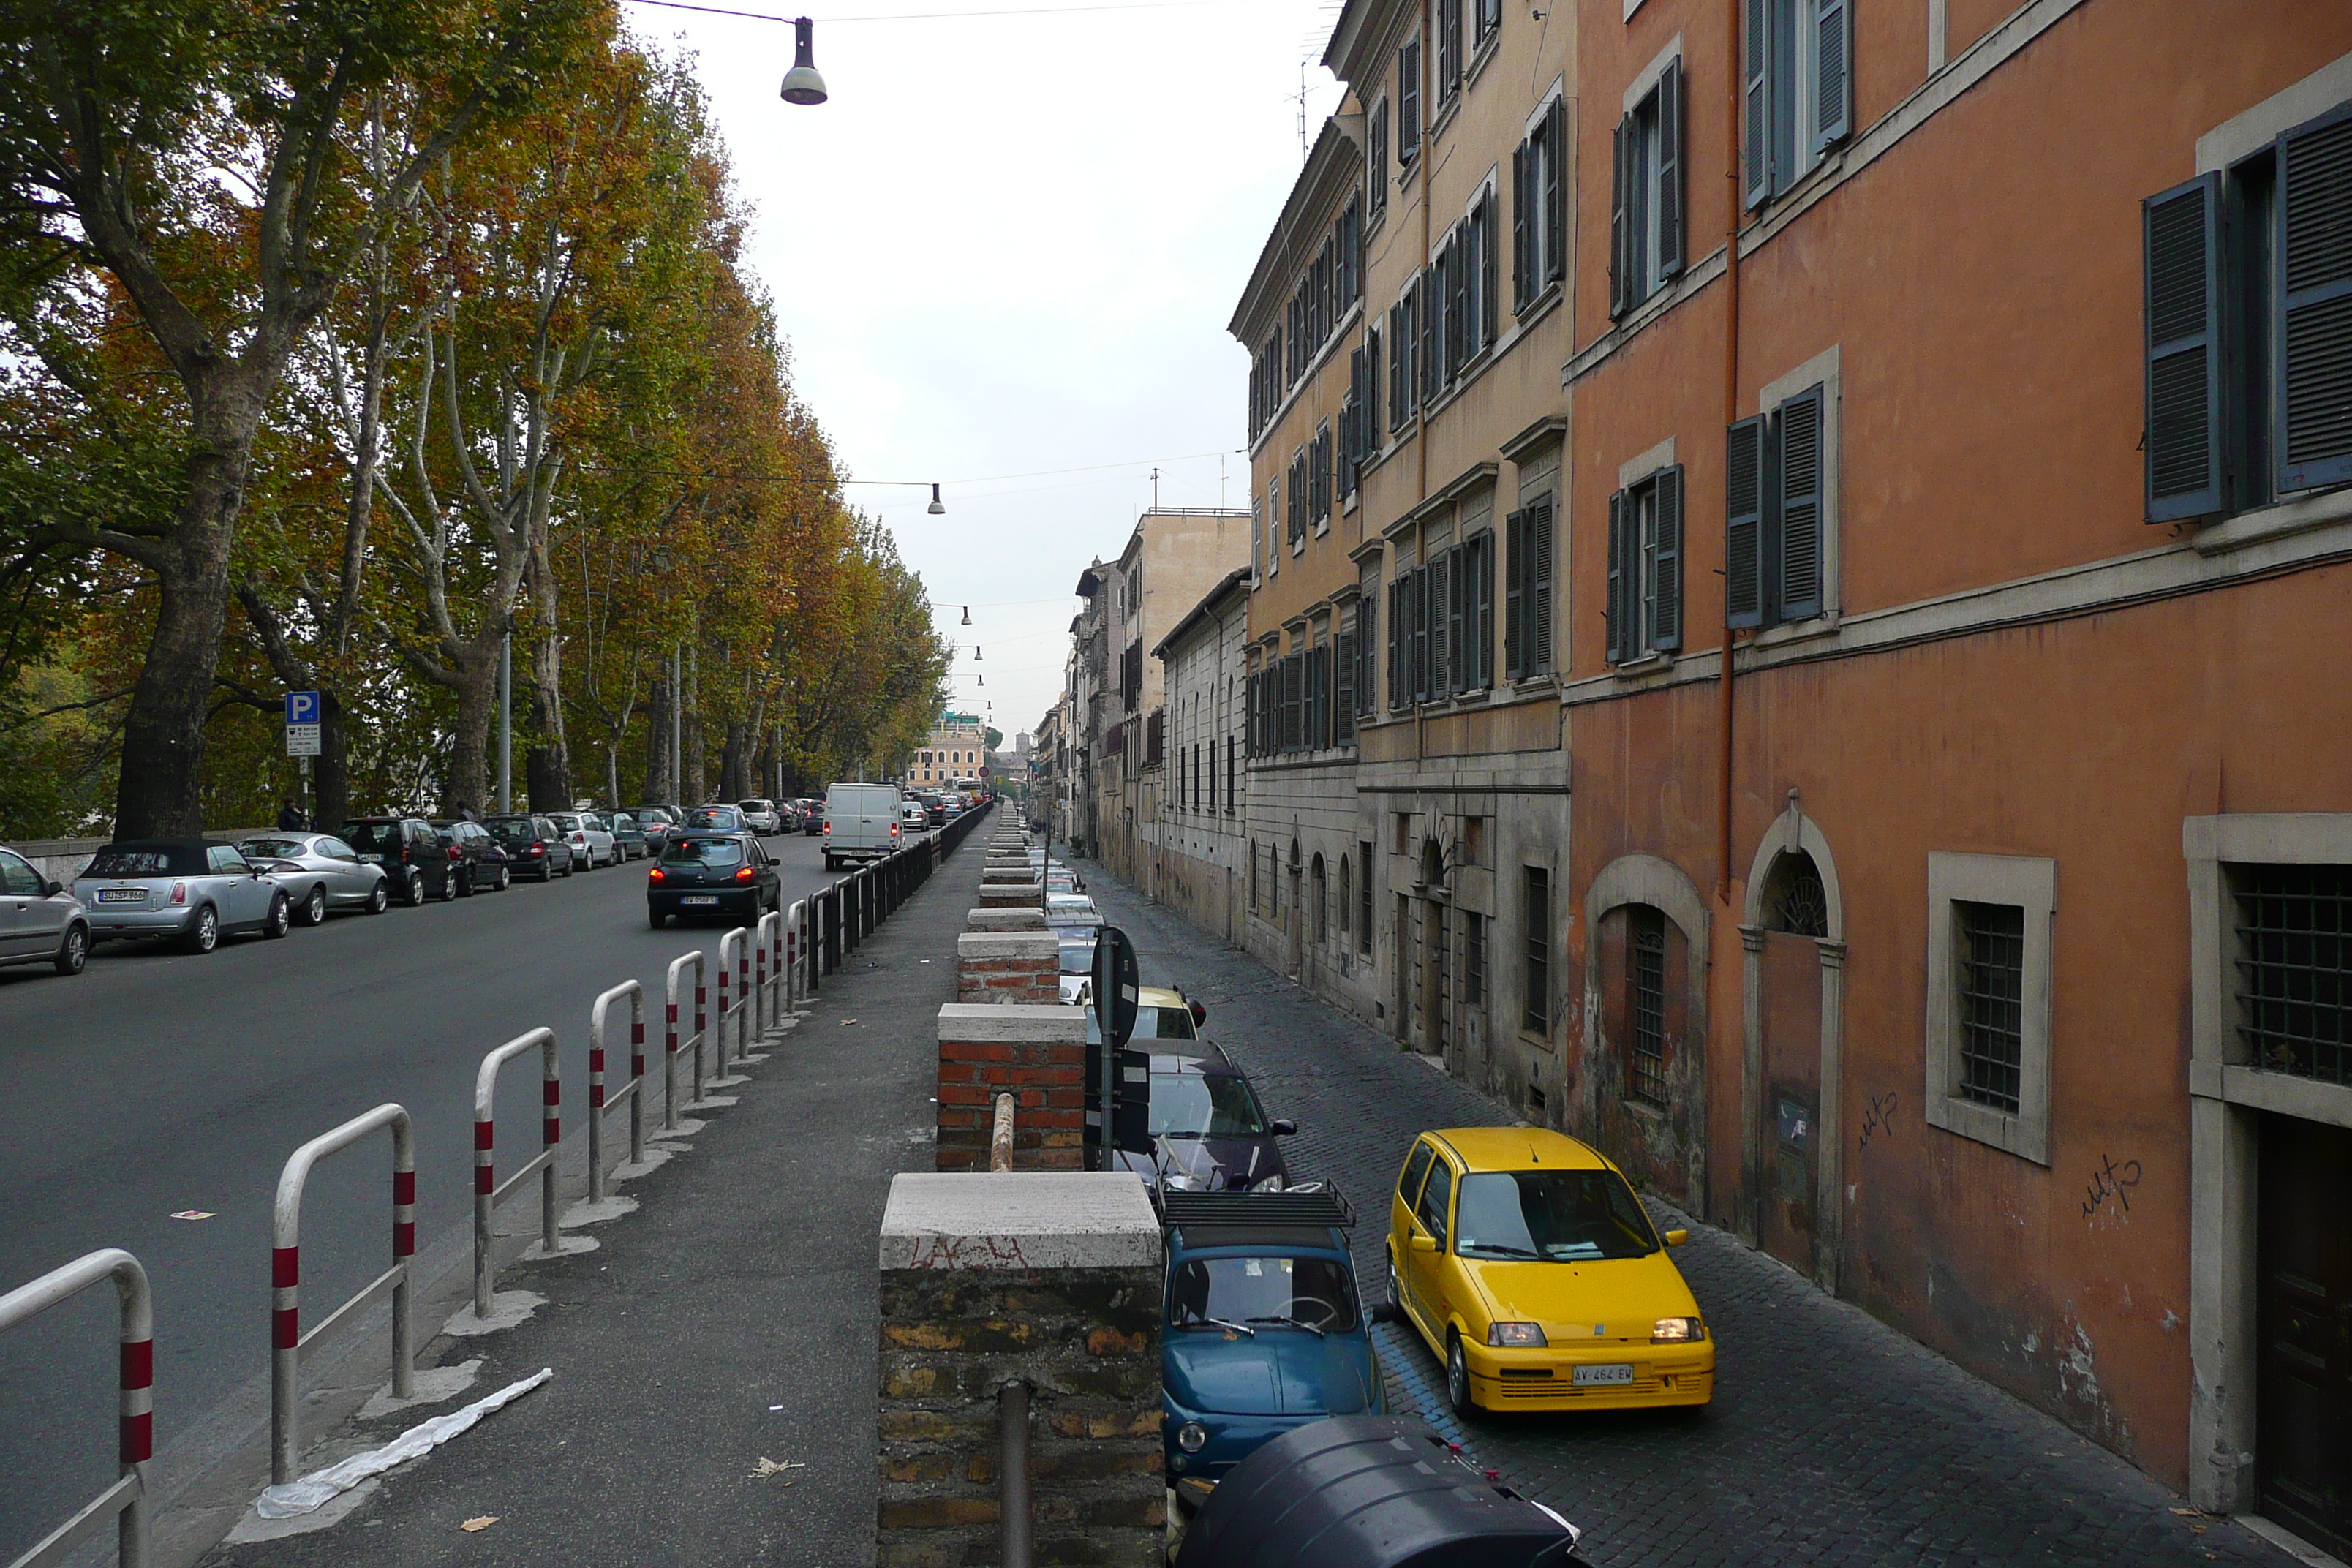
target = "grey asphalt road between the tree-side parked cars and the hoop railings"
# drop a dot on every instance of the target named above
(166, 1083)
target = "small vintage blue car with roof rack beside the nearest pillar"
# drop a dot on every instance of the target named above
(1264, 1327)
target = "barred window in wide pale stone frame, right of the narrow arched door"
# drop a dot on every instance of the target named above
(1989, 989)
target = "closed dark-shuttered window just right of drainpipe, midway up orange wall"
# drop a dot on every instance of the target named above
(1775, 511)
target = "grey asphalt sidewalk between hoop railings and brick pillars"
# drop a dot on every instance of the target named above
(728, 1322)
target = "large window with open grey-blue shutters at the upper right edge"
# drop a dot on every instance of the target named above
(2250, 328)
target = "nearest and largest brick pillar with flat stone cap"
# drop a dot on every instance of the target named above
(1041, 1280)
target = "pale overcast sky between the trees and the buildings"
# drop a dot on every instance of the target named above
(1005, 255)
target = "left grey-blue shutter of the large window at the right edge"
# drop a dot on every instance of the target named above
(2181, 234)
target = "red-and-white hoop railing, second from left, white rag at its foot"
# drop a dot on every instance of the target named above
(288, 1343)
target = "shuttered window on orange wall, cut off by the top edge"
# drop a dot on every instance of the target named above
(1798, 86)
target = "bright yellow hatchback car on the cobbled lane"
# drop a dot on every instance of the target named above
(1537, 1278)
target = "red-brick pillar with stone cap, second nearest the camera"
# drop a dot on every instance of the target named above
(1038, 1054)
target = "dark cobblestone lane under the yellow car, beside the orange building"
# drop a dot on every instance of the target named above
(1833, 1438)
